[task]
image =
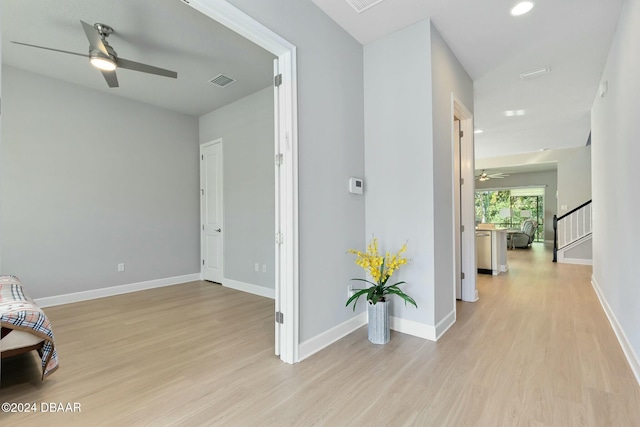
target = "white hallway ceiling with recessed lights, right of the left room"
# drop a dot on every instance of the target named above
(572, 37)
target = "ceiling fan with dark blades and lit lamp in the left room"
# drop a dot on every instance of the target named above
(104, 57)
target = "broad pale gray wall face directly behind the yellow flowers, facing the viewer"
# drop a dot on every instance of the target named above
(399, 160)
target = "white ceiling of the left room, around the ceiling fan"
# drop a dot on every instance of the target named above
(163, 33)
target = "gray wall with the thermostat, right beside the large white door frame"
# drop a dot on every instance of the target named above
(331, 149)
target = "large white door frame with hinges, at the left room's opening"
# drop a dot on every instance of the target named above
(286, 143)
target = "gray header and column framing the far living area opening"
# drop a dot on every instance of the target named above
(547, 179)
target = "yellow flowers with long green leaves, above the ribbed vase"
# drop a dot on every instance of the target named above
(380, 268)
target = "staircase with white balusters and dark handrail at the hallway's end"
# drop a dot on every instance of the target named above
(572, 236)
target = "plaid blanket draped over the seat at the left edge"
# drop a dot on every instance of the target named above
(19, 312)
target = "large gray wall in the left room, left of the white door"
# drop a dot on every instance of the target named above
(90, 180)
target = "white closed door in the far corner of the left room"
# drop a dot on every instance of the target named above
(211, 210)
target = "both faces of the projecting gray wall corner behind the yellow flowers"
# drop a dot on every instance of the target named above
(408, 158)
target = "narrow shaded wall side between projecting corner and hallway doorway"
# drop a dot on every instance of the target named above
(448, 77)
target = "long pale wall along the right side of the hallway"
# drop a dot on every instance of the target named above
(614, 143)
